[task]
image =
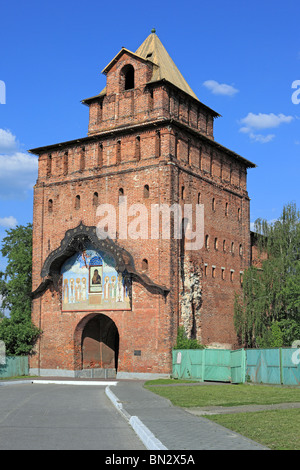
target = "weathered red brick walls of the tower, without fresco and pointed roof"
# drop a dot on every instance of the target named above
(153, 143)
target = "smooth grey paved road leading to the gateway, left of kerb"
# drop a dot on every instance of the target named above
(62, 417)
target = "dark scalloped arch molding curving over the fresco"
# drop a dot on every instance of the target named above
(76, 240)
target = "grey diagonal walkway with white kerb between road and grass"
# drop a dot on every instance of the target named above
(164, 426)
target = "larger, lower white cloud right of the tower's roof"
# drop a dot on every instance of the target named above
(253, 122)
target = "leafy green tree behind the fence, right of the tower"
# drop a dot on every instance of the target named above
(268, 312)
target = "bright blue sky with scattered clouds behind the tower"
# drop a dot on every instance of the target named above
(239, 57)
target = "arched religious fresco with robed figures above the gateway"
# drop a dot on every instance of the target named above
(90, 281)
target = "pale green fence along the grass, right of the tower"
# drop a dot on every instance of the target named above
(270, 366)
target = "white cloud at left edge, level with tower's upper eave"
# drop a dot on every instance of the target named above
(18, 170)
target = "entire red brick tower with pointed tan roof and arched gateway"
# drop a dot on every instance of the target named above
(115, 304)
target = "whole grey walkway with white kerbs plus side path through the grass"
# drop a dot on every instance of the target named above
(163, 426)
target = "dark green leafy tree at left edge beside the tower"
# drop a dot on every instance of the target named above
(17, 331)
